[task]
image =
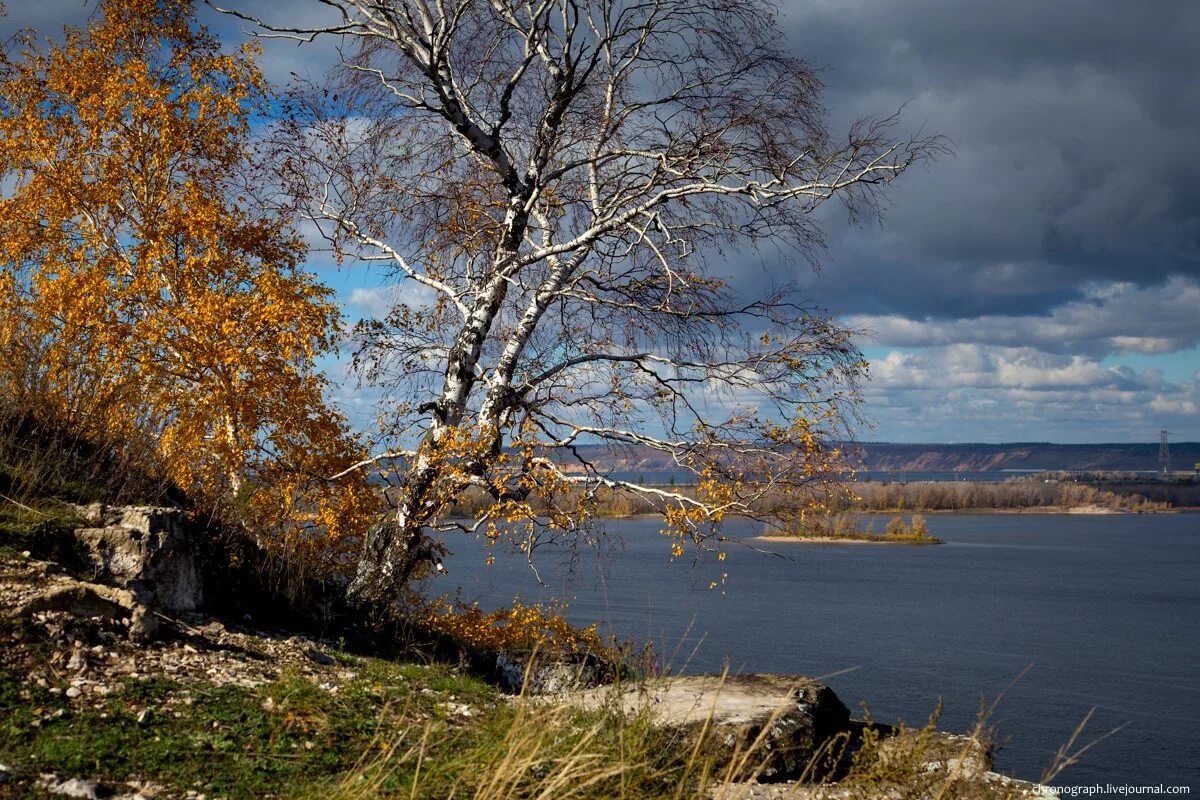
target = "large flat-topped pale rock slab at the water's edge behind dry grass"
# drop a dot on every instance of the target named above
(795, 717)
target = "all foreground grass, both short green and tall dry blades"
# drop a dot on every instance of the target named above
(401, 732)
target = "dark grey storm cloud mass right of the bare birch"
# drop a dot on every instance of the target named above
(1075, 125)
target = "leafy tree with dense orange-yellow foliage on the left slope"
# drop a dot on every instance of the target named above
(142, 299)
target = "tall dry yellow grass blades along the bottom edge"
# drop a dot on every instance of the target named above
(551, 750)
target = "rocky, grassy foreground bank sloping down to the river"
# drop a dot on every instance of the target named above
(130, 690)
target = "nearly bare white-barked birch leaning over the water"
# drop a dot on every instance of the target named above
(562, 181)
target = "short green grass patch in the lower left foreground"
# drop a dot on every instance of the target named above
(279, 741)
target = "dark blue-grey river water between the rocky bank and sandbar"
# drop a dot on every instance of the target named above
(1082, 611)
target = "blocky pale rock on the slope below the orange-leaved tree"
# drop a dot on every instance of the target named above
(148, 550)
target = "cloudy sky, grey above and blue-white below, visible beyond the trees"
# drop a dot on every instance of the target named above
(1041, 285)
